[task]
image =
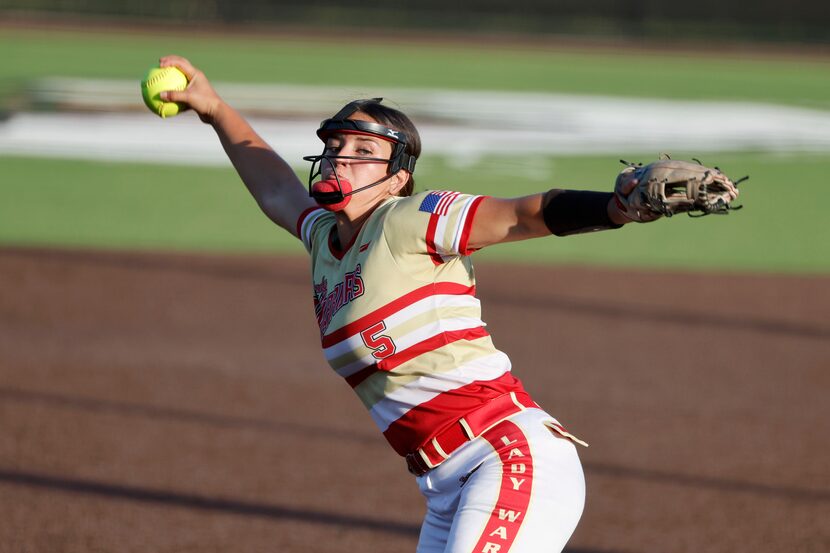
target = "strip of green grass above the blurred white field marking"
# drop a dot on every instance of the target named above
(373, 65)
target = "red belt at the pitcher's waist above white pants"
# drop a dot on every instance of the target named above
(436, 450)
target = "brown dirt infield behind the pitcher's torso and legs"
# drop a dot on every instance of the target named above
(169, 403)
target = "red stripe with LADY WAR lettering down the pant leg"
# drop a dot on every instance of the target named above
(516, 483)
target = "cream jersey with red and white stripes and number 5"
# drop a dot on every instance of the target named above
(398, 315)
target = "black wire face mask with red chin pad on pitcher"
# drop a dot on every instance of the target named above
(335, 193)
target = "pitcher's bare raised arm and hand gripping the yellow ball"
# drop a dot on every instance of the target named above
(269, 179)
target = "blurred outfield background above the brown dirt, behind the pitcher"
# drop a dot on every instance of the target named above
(74, 69)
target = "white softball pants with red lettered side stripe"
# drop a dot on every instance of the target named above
(517, 488)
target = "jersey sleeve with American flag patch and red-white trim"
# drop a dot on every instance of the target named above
(436, 223)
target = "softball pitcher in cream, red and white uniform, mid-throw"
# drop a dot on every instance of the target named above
(395, 299)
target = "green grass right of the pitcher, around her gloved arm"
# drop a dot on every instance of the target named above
(780, 229)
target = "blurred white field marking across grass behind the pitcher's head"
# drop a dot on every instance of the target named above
(462, 126)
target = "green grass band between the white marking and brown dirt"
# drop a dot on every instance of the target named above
(112, 205)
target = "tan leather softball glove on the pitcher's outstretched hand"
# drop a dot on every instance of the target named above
(667, 187)
